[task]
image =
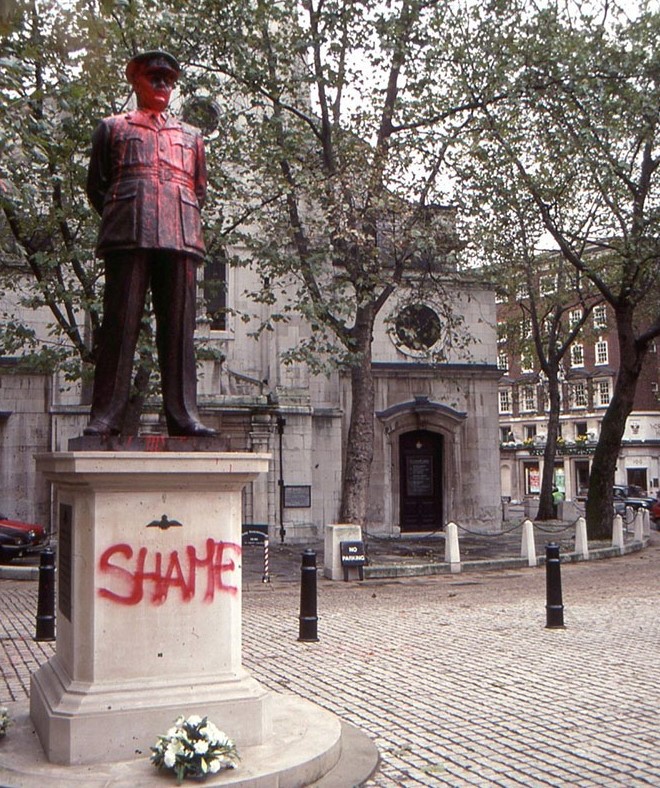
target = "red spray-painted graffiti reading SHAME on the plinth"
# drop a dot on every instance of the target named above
(132, 571)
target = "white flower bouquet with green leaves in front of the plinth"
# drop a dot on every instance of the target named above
(194, 747)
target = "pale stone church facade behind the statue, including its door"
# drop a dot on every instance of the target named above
(436, 453)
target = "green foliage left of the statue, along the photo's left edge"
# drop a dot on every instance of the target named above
(48, 232)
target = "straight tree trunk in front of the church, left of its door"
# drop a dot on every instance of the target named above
(360, 445)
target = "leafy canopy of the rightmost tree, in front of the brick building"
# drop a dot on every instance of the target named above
(570, 123)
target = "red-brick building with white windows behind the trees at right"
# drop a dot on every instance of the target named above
(587, 383)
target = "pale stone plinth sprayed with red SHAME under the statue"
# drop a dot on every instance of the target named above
(149, 603)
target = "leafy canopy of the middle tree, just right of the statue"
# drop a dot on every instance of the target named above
(321, 130)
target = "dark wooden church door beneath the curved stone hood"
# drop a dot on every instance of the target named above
(421, 480)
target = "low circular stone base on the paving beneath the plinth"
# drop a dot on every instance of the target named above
(308, 743)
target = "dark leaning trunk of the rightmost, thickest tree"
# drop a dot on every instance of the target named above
(599, 510)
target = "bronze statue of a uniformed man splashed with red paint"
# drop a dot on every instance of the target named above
(147, 180)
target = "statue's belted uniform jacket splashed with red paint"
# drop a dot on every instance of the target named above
(148, 182)
